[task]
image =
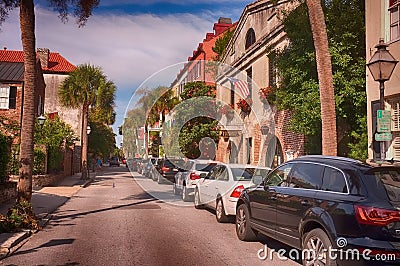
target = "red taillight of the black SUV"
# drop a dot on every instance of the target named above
(376, 216)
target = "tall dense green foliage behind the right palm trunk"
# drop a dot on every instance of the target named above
(299, 89)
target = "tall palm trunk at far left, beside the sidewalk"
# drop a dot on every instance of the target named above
(27, 25)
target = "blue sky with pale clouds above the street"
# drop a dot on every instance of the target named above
(130, 40)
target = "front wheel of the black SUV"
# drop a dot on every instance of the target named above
(243, 228)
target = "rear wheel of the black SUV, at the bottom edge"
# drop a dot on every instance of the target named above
(315, 246)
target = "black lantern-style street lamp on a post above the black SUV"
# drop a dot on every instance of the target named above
(381, 66)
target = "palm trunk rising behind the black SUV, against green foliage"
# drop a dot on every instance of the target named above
(324, 69)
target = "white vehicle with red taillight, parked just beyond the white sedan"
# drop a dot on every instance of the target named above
(185, 181)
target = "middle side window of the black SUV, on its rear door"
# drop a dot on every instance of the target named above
(306, 175)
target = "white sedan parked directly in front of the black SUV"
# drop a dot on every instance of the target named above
(221, 188)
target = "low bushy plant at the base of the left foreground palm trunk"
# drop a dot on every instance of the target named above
(19, 217)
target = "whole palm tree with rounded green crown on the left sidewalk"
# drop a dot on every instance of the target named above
(85, 87)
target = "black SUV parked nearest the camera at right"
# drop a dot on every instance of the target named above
(320, 202)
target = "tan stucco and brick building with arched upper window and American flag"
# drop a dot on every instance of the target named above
(259, 137)
